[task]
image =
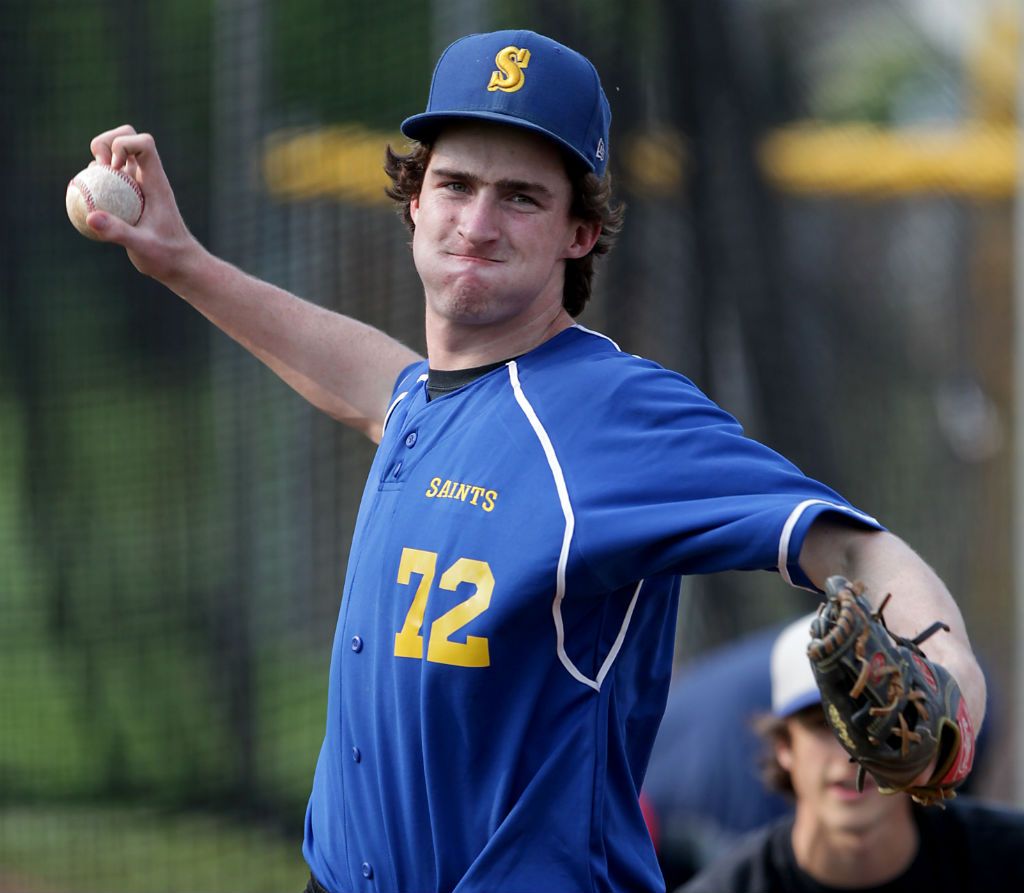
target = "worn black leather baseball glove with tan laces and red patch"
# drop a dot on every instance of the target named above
(893, 710)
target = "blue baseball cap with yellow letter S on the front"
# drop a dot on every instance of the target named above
(523, 79)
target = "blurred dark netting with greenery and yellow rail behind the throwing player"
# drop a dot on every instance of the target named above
(175, 523)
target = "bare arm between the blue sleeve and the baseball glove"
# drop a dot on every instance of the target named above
(887, 565)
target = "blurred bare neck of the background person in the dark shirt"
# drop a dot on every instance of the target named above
(856, 859)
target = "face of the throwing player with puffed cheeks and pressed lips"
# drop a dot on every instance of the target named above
(493, 228)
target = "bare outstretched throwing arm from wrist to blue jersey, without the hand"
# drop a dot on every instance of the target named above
(344, 367)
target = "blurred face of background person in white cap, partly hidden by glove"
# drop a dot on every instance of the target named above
(825, 781)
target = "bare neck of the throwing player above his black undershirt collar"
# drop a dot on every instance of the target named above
(453, 346)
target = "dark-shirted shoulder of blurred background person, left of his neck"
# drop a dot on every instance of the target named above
(751, 867)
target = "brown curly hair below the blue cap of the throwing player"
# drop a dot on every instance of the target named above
(591, 202)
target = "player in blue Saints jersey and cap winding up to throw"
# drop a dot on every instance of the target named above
(505, 639)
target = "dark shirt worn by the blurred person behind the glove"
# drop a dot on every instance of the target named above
(966, 847)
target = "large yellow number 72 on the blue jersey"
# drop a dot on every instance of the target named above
(441, 649)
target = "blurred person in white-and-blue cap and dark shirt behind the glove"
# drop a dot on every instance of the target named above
(840, 838)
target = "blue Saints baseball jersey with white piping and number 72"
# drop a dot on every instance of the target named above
(505, 641)
